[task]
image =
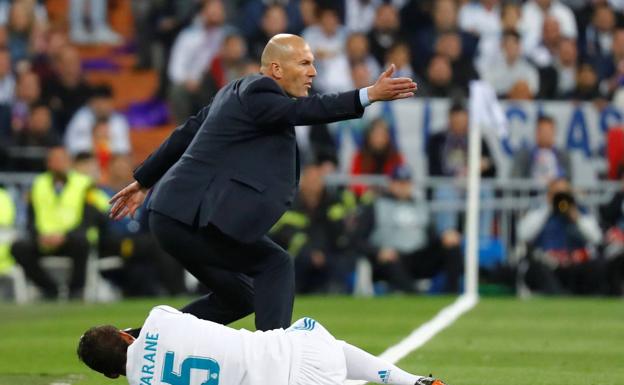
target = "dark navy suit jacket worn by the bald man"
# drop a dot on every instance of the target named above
(235, 164)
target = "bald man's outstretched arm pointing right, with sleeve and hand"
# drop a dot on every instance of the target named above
(266, 102)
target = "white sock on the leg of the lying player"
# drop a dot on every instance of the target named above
(364, 366)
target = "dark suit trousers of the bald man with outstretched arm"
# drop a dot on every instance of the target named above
(242, 277)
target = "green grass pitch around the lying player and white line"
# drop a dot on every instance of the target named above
(501, 341)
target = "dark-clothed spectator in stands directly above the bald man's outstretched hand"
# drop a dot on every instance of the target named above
(385, 32)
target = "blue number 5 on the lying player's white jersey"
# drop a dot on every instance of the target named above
(190, 363)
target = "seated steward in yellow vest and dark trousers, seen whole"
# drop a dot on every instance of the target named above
(58, 219)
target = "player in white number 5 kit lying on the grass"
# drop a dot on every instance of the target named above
(179, 349)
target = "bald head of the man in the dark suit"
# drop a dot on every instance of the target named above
(288, 60)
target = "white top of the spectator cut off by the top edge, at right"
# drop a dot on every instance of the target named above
(534, 12)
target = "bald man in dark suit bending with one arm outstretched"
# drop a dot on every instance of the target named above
(229, 173)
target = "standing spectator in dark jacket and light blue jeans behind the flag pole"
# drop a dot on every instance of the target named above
(447, 154)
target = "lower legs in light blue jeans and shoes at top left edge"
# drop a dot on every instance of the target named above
(100, 32)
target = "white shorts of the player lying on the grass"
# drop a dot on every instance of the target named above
(318, 358)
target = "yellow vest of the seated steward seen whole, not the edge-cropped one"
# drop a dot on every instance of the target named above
(59, 213)
